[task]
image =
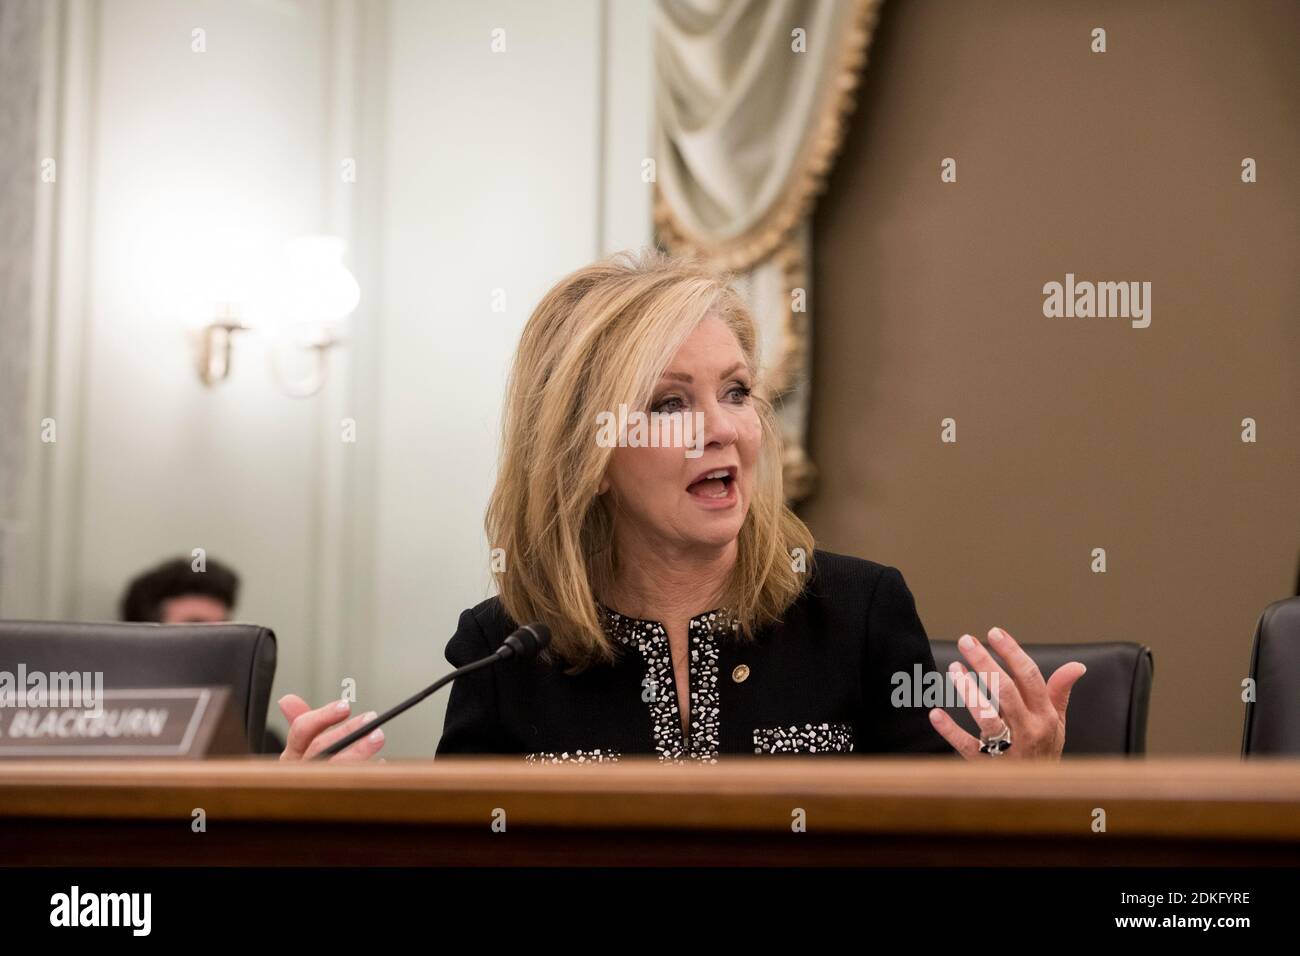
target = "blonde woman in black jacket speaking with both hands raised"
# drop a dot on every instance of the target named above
(691, 616)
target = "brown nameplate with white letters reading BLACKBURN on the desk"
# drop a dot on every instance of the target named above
(185, 723)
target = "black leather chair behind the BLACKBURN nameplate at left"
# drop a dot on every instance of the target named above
(144, 656)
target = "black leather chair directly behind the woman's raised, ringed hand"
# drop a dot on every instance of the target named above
(1108, 706)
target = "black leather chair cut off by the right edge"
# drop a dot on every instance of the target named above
(1273, 717)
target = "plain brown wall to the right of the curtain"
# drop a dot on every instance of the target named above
(1073, 434)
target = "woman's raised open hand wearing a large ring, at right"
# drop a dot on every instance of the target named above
(1034, 710)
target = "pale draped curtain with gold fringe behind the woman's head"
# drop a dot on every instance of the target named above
(752, 102)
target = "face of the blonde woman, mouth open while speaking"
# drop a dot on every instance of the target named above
(662, 496)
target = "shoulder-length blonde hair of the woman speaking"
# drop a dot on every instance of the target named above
(603, 338)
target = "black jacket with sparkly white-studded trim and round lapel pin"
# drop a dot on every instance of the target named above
(820, 682)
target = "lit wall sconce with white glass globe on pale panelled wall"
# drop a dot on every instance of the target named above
(313, 299)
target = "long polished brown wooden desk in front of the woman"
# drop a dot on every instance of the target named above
(863, 812)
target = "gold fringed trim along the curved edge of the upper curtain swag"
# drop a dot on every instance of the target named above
(809, 179)
